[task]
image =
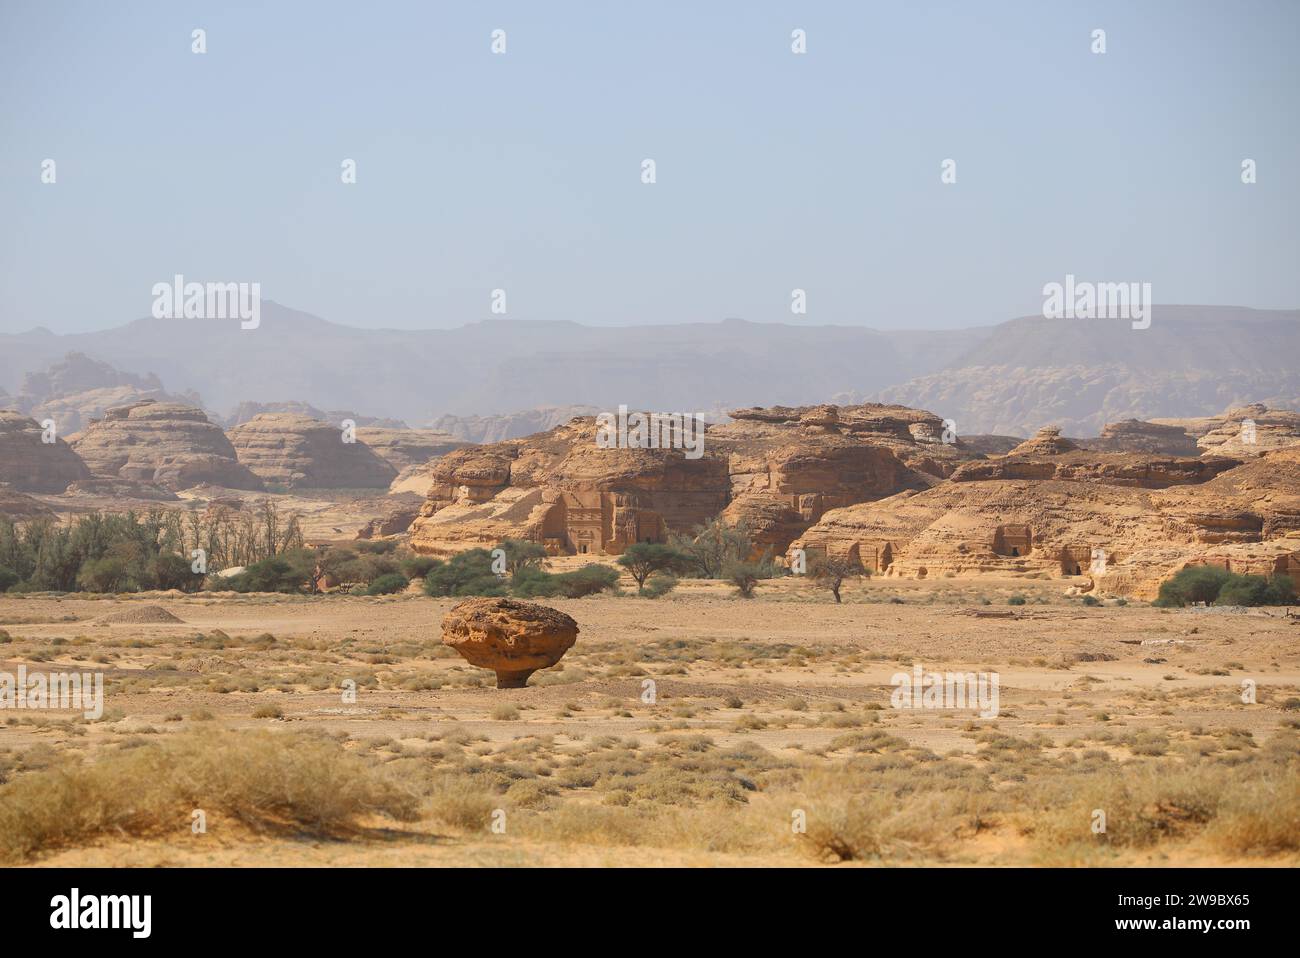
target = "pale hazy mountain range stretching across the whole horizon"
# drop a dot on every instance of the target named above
(1008, 379)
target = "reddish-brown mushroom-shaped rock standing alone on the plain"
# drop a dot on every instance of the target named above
(513, 639)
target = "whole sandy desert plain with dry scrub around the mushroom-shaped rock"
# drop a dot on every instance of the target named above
(699, 729)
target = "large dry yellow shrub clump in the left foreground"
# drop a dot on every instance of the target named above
(266, 781)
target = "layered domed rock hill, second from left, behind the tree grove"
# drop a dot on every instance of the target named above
(168, 445)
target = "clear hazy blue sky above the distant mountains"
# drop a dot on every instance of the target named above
(523, 171)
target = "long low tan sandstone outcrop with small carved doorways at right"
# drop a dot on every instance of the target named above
(1125, 537)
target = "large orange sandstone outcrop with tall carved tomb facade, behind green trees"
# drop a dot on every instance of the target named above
(778, 470)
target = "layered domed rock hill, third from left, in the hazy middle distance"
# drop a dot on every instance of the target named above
(302, 453)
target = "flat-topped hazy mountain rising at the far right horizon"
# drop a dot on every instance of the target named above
(1081, 375)
